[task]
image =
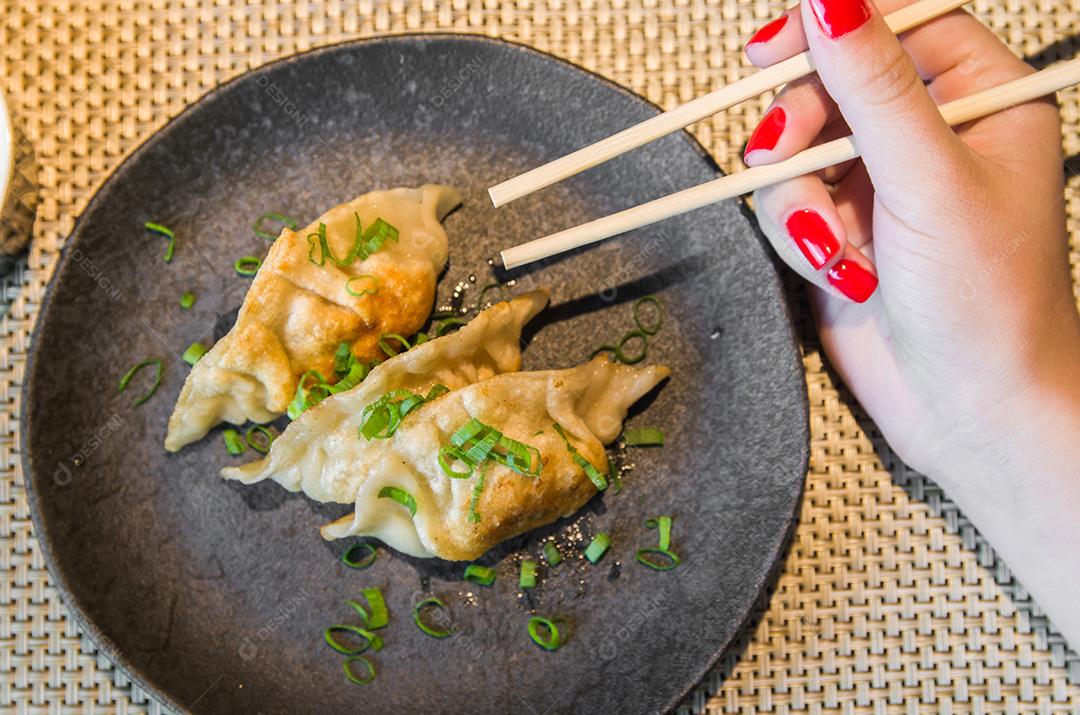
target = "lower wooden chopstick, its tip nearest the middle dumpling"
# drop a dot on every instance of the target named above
(991, 101)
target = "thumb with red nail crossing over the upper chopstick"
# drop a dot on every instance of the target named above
(903, 140)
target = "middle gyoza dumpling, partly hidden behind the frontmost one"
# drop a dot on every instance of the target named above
(306, 455)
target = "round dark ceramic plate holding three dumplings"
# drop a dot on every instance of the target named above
(213, 597)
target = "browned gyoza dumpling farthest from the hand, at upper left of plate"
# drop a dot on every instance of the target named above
(298, 313)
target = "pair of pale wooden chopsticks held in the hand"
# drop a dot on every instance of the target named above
(989, 102)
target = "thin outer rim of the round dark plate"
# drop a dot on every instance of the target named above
(87, 626)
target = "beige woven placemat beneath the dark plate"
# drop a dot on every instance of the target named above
(889, 600)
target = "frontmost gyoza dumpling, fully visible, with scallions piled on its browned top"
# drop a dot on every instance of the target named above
(589, 404)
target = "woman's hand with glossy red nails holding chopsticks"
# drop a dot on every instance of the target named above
(940, 263)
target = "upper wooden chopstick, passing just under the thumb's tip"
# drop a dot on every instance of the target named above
(705, 106)
